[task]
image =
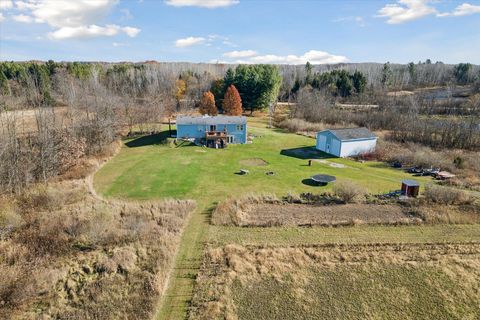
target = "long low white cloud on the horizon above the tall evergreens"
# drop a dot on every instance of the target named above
(312, 56)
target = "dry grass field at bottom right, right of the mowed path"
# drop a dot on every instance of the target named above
(339, 282)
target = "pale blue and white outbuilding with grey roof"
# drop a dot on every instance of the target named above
(346, 142)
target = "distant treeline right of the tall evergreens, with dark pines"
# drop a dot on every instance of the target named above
(354, 79)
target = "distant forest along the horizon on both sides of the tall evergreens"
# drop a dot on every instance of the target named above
(179, 86)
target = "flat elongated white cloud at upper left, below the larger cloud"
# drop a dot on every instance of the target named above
(91, 31)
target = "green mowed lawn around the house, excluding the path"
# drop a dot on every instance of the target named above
(158, 171)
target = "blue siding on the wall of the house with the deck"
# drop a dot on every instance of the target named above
(199, 131)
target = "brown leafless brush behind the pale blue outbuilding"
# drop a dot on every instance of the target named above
(411, 119)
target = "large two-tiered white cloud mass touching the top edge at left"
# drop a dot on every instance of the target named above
(74, 19)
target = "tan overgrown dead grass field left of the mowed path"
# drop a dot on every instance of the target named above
(66, 255)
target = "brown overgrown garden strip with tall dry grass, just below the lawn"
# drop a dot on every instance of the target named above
(327, 210)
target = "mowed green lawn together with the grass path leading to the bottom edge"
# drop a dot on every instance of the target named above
(153, 170)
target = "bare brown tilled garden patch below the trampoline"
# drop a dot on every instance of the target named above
(264, 214)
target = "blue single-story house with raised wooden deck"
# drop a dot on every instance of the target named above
(213, 131)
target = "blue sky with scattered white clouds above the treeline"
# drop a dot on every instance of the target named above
(241, 31)
